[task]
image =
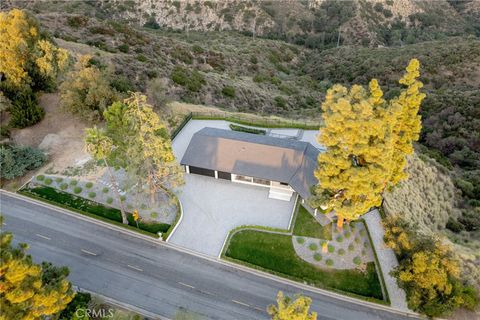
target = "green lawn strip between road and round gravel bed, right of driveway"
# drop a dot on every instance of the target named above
(275, 253)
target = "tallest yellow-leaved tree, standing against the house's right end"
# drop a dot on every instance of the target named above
(367, 140)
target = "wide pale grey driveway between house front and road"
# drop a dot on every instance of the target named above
(211, 208)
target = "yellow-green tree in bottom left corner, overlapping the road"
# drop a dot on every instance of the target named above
(29, 291)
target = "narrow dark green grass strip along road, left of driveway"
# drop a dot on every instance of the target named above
(91, 208)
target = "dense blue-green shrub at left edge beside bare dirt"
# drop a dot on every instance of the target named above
(15, 161)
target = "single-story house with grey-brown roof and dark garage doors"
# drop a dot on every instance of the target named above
(282, 165)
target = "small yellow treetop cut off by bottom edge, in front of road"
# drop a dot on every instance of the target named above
(288, 309)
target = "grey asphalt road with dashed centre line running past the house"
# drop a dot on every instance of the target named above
(154, 277)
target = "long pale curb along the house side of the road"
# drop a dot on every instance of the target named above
(212, 259)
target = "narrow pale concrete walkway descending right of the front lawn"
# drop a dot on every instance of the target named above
(387, 259)
